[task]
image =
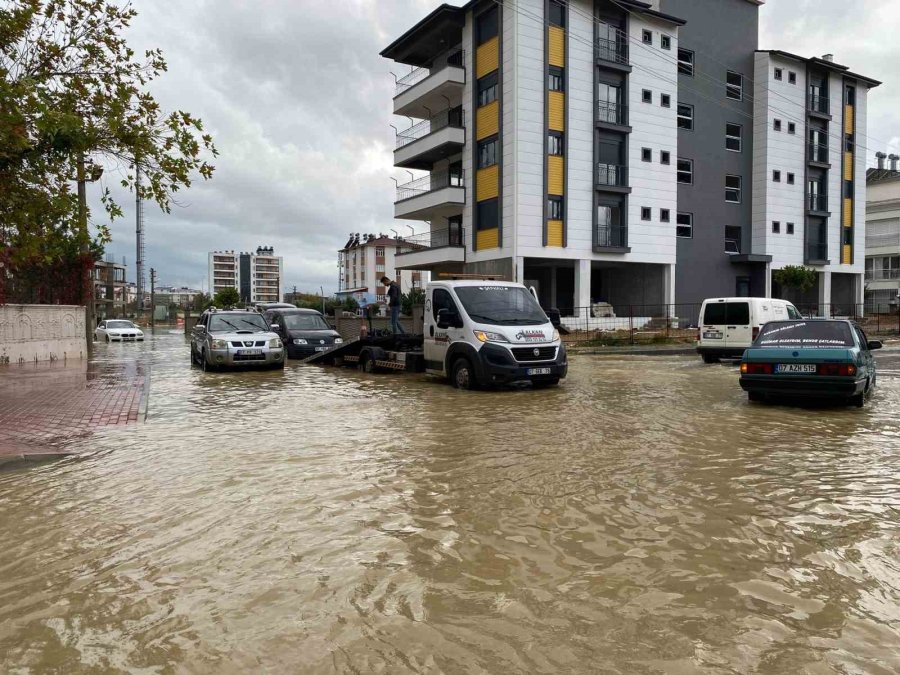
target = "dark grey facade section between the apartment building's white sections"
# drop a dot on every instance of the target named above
(723, 34)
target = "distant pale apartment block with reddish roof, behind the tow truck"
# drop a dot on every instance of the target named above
(366, 258)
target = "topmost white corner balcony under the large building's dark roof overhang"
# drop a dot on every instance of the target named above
(426, 89)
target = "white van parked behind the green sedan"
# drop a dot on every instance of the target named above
(727, 326)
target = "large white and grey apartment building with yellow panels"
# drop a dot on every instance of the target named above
(629, 152)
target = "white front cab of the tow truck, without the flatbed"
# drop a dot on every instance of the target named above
(480, 333)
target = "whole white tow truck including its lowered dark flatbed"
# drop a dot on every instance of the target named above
(477, 333)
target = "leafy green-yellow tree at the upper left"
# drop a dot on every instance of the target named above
(73, 101)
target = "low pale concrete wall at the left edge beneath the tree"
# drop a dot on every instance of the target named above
(30, 333)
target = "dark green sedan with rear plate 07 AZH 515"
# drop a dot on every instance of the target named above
(824, 359)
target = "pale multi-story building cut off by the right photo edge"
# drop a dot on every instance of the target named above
(883, 236)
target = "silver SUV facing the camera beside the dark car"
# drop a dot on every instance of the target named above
(235, 339)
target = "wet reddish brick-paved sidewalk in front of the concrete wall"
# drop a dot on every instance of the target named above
(44, 406)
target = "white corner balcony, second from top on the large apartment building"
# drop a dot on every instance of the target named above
(423, 144)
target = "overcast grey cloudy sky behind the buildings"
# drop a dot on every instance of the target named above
(299, 103)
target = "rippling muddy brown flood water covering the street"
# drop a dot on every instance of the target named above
(640, 518)
